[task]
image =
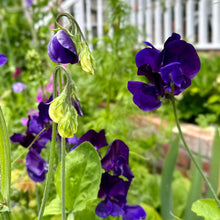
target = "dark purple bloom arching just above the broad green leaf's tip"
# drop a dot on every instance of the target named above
(97, 139)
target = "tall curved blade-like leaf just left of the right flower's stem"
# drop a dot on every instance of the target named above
(166, 182)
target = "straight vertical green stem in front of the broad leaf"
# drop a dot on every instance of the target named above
(63, 151)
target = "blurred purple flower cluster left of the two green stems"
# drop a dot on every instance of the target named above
(37, 167)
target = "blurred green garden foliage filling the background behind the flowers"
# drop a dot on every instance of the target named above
(105, 100)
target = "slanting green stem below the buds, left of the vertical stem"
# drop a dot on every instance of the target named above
(50, 171)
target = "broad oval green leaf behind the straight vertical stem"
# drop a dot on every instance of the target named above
(82, 177)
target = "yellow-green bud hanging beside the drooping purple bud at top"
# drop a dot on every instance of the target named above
(86, 60)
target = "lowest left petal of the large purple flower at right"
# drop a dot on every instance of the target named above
(145, 96)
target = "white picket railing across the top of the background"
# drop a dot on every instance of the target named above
(198, 21)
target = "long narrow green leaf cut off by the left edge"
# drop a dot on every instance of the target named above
(5, 160)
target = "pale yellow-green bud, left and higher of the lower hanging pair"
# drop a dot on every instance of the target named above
(57, 107)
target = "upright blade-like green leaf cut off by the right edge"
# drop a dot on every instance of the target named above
(214, 165)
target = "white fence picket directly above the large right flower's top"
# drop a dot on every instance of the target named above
(178, 17)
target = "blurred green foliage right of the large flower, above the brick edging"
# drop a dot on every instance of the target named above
(204, 91)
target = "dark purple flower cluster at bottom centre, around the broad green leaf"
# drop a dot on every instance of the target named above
(113, 189)
